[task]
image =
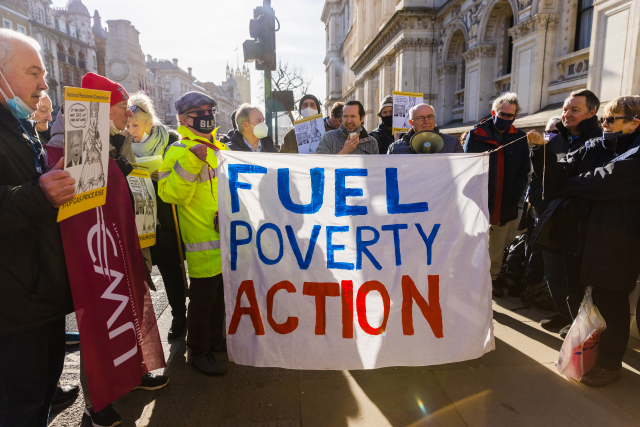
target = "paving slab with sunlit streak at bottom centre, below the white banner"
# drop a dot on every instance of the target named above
(394, 399)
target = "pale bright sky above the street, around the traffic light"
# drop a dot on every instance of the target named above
(203, 34)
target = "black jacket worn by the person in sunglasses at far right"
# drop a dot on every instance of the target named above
(597, 213)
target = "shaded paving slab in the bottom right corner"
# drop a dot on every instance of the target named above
(528, 396)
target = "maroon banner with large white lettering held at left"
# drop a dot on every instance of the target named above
(118, 331)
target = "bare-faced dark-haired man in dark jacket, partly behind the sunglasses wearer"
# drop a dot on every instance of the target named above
(579, 124)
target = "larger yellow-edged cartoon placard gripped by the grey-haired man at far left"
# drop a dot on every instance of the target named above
(86, 153)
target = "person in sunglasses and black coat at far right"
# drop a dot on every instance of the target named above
(594, 223)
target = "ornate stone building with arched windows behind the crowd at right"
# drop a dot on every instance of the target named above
(461, 54)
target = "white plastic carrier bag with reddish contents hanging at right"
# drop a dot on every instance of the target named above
(579, 351)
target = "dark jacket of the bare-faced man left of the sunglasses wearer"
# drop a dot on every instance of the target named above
(562, 144)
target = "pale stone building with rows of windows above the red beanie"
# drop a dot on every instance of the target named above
(67, 43)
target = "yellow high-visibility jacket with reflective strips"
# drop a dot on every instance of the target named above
(183, 180)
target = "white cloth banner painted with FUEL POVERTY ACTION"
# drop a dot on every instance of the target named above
(352, 262)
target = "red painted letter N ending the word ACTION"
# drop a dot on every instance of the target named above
(431, 310)
